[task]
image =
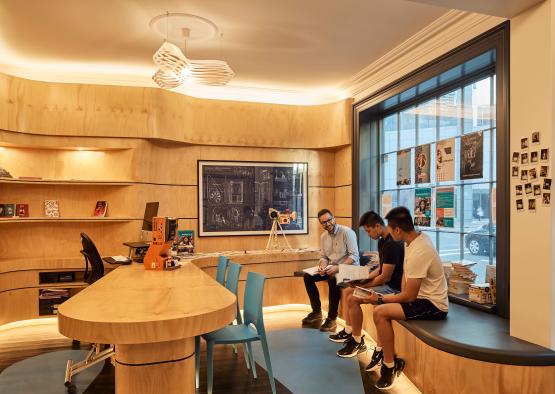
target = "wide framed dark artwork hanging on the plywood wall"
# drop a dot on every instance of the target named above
(235, 197)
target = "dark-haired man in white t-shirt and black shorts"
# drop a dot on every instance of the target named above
(423, 293)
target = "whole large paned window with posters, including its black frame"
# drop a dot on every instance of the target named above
(433, 143)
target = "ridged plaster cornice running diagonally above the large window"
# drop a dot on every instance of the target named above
(447, 32)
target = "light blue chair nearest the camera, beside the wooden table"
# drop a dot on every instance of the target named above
(252, 329)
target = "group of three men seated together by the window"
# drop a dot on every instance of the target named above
(408, 284)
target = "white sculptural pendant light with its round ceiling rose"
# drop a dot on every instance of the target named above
(174, 67)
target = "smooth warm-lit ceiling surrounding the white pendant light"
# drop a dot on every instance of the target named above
(288, 45)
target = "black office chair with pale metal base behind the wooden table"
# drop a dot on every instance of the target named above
(95, 354)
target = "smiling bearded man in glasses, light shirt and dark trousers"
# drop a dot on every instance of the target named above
(338, 245)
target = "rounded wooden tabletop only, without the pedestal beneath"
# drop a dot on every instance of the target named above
(132, 305)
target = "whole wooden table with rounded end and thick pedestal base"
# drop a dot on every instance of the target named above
(152, 317)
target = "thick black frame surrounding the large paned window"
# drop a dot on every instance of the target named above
(368, 109)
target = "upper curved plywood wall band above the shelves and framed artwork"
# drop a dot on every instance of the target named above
(116, 111)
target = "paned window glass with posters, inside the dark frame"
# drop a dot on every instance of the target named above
(428, 136)
